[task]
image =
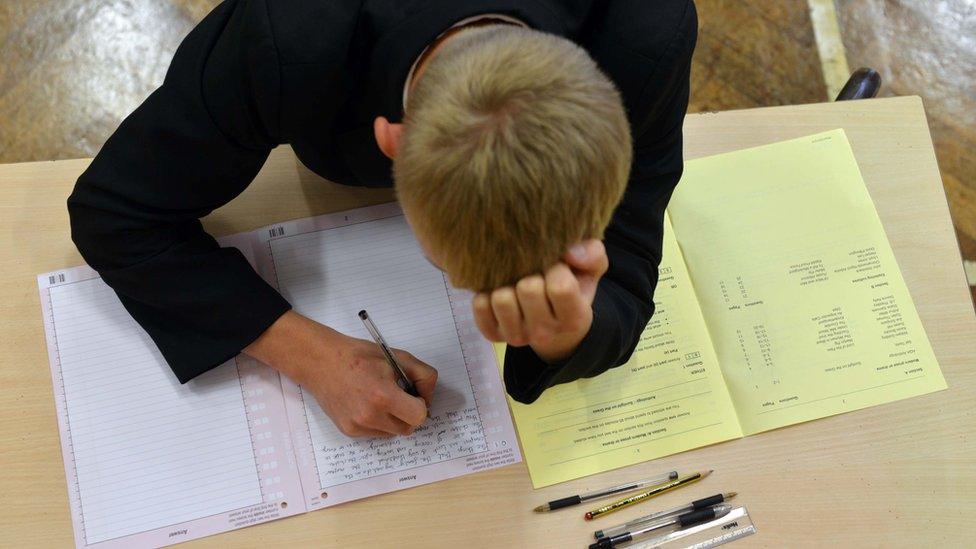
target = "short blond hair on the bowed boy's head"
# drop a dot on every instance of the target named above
(515, 147)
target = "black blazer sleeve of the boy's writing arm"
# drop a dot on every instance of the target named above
(191, 147)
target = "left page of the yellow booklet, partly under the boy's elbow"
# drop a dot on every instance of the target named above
(669, 397)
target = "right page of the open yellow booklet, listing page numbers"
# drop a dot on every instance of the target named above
(801, 292)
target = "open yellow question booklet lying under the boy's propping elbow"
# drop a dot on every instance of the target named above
(779, 301)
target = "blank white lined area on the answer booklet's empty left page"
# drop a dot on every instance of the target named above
(148, 452)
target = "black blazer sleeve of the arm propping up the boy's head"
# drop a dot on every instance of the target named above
(624, 300)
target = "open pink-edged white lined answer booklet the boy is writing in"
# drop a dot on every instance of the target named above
(150, 462)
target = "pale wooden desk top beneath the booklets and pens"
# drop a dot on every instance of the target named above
(904, 471)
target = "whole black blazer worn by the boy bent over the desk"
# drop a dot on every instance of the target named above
(314, 73)
